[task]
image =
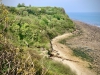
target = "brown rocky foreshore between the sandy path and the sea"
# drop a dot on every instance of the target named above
(89, 40)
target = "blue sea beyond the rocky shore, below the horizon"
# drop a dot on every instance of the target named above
(89, 18)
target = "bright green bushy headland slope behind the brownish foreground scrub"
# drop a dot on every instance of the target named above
(35, 26)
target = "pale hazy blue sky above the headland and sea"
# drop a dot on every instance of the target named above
(68, 5)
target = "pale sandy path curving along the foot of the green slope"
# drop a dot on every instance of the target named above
(63, 54)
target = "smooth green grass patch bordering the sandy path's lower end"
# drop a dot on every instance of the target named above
(58, 68)
